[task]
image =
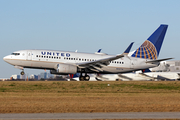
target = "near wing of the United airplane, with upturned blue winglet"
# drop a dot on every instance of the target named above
(98, 64)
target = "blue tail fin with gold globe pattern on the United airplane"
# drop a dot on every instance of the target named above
(151, 47)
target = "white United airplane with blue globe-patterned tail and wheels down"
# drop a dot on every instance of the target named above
(64, 62)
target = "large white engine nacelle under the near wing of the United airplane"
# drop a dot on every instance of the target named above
(66, 69)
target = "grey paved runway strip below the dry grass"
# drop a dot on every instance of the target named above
(121, 115)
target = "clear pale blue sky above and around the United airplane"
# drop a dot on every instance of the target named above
(85, 25)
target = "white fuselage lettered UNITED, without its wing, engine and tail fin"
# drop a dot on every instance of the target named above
(48, 59)
